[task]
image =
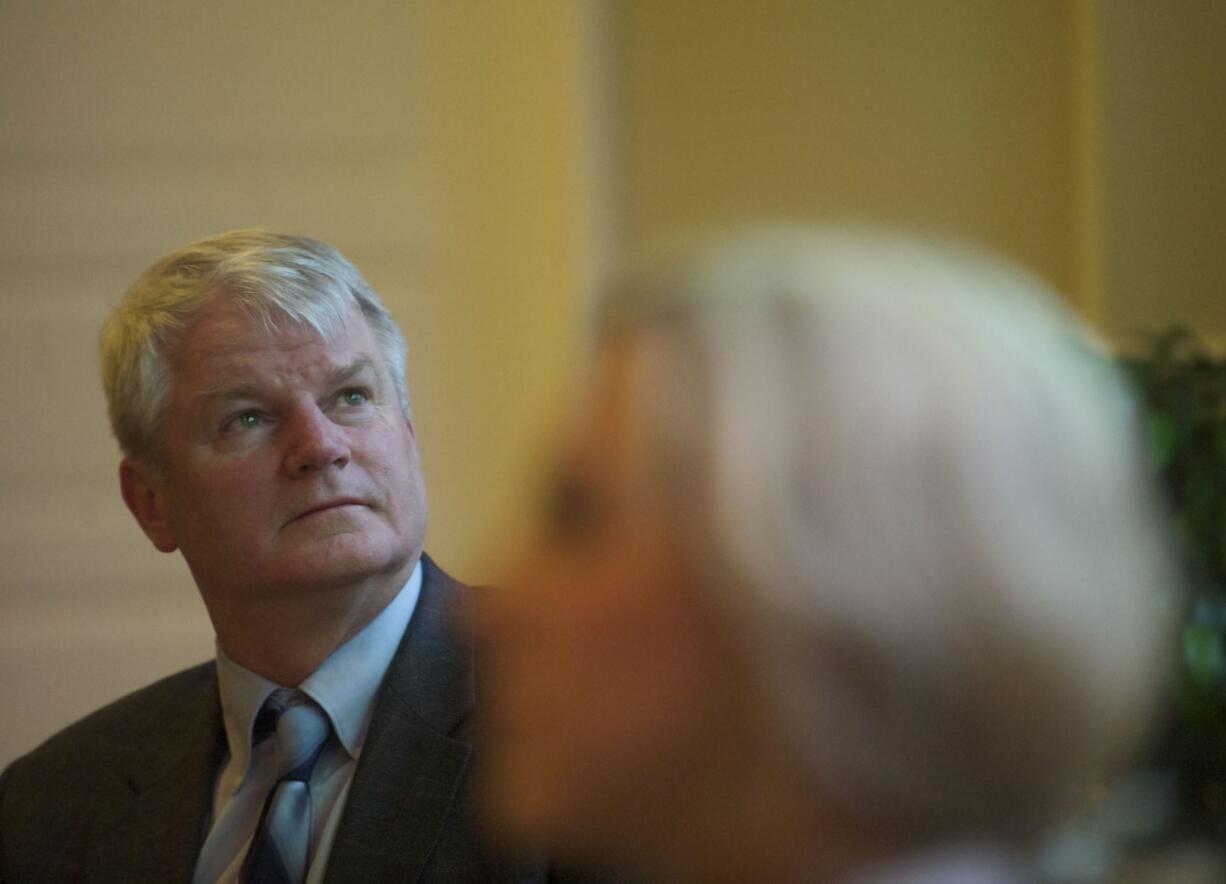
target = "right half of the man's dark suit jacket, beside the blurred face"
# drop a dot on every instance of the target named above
(413, 763)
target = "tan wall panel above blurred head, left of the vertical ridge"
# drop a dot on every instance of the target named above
(941, 115)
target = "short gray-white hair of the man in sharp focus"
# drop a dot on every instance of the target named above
(274, 276)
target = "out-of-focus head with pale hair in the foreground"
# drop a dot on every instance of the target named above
(850, 552)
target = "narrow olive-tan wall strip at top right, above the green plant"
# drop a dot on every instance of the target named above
(1164, 150)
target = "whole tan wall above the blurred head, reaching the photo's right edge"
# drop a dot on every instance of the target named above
(1082, 138)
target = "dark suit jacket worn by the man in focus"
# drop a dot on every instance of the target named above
(126, 795)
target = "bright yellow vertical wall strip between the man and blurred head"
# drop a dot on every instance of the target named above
(504, 140)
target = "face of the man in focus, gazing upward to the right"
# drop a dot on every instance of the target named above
(290, 468)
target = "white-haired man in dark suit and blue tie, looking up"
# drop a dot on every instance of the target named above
(257, 387)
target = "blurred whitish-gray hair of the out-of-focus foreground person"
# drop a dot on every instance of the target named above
(919, 484)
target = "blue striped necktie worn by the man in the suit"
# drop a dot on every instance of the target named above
(280, 849)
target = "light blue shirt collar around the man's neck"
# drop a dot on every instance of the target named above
(345, 685)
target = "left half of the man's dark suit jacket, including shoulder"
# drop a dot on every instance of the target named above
(70, 810)
